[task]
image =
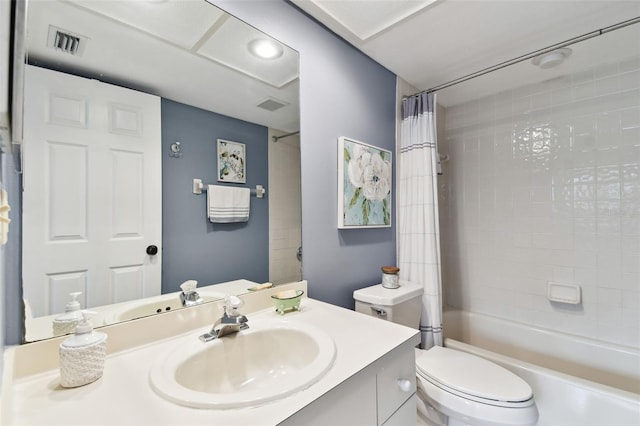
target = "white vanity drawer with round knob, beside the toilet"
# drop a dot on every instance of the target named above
(396, 381)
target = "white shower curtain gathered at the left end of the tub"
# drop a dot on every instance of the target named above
(418, 234)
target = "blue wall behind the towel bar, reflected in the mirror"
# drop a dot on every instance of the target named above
(193, 247)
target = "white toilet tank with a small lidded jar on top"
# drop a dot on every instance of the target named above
(401, 305)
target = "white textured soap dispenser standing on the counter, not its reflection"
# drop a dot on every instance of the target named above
(82, 355)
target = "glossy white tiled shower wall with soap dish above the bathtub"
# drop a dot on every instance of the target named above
(543, 184)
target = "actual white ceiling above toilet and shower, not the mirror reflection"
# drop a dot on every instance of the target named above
(428, 43)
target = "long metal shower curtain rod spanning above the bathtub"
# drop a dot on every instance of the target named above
(531, 55)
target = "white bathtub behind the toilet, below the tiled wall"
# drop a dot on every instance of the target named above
(575, 381)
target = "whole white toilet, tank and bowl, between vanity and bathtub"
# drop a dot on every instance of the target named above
(454, 387)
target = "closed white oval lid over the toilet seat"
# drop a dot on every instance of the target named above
(469, 375)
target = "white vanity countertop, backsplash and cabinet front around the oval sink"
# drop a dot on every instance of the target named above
(371, 382)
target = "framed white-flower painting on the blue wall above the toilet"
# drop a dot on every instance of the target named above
(364, 185)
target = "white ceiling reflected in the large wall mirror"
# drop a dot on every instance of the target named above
(185, 50)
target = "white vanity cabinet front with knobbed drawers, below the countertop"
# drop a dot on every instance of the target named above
(383, 393)
